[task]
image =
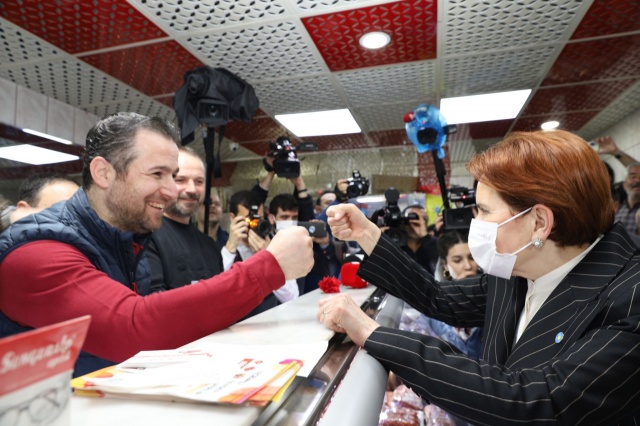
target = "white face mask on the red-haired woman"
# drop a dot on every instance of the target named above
(482, 244)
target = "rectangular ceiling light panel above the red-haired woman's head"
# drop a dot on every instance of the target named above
(489, 107)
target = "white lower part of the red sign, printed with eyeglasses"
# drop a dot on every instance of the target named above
(43, 408)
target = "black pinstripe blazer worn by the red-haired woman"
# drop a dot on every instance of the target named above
(577, 362)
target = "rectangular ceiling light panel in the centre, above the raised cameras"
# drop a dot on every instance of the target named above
(323, 123)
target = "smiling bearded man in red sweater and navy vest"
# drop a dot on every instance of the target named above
(82, 257)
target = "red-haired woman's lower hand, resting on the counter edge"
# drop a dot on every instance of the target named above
(340, 313)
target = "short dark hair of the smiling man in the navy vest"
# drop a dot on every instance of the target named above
(112, 139)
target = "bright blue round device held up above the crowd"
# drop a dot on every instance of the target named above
(427, 129)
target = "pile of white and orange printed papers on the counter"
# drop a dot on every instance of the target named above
(197, 375)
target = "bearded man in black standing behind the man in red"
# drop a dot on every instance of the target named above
(178, 252)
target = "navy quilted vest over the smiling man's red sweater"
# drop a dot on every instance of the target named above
(109, 249)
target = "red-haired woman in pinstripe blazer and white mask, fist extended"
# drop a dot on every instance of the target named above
(557, 299)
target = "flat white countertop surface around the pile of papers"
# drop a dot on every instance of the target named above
(292, 322)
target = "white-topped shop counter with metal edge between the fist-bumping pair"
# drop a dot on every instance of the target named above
(345, 387)
